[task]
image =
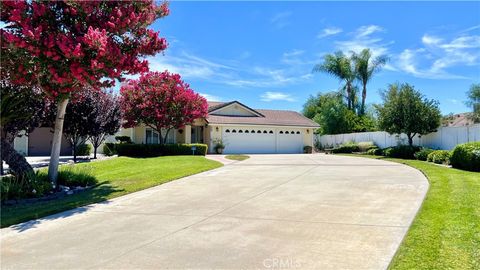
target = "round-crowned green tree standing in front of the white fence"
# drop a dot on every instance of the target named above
(406, 110)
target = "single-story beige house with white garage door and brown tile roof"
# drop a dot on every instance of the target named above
(241, 128)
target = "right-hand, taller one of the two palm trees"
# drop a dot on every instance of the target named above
(365, 67)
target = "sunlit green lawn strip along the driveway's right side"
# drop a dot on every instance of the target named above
(446, 231)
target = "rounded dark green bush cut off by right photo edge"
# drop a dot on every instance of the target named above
(466, 156)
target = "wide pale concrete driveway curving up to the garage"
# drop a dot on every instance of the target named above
(268, 212)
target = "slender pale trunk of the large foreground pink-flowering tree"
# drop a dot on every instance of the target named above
(57, 142)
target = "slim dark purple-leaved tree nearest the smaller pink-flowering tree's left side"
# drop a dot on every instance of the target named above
(106, 119)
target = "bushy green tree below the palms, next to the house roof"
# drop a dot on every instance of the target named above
(334, 117)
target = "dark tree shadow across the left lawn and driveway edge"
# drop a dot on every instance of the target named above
(36, 213)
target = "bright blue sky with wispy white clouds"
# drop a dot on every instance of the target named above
(262, 53)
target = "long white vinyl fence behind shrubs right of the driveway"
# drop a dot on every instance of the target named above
(445, 138)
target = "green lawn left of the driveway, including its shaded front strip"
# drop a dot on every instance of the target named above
(116, 177)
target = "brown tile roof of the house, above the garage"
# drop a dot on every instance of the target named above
(270, 117)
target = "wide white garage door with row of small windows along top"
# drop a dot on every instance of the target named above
(244, 140)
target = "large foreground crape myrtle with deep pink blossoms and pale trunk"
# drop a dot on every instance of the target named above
(67, 45)
